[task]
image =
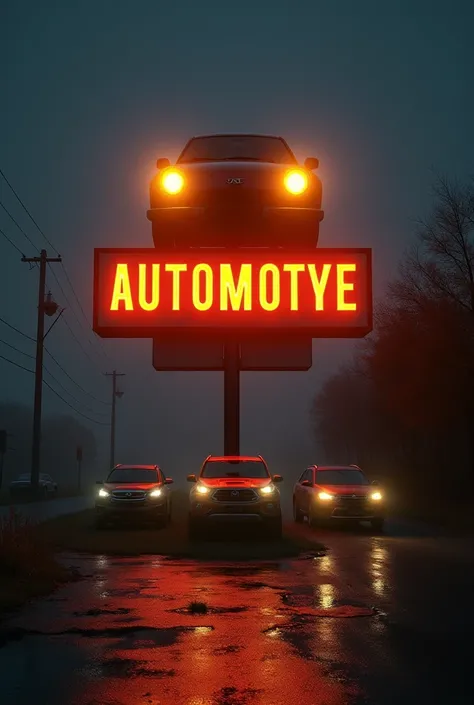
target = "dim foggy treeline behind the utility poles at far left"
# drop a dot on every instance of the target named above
(59, 439)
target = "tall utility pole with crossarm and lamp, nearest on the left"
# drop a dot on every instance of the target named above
(42, 260)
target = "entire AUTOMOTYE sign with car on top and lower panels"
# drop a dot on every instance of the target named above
(235, 226)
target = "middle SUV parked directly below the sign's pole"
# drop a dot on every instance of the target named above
(236, 489)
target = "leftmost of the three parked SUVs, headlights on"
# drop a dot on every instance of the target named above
(134, 492)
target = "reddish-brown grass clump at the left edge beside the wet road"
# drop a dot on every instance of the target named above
(28, 567)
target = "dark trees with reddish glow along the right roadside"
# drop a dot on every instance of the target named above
(404, 407)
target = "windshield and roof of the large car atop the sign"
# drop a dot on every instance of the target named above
(216, 148)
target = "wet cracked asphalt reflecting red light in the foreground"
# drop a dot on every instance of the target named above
(379, 620)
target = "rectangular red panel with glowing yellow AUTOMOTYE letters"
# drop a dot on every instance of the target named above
(322, 293)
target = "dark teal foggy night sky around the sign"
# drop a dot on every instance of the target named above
(93, 92)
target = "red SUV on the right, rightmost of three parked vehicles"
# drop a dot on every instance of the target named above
(337, 492)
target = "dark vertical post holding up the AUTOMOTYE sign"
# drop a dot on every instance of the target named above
(231, 398)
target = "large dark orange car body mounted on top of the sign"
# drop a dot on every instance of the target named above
(234, 195)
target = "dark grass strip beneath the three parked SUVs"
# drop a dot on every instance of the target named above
(76, 532)
